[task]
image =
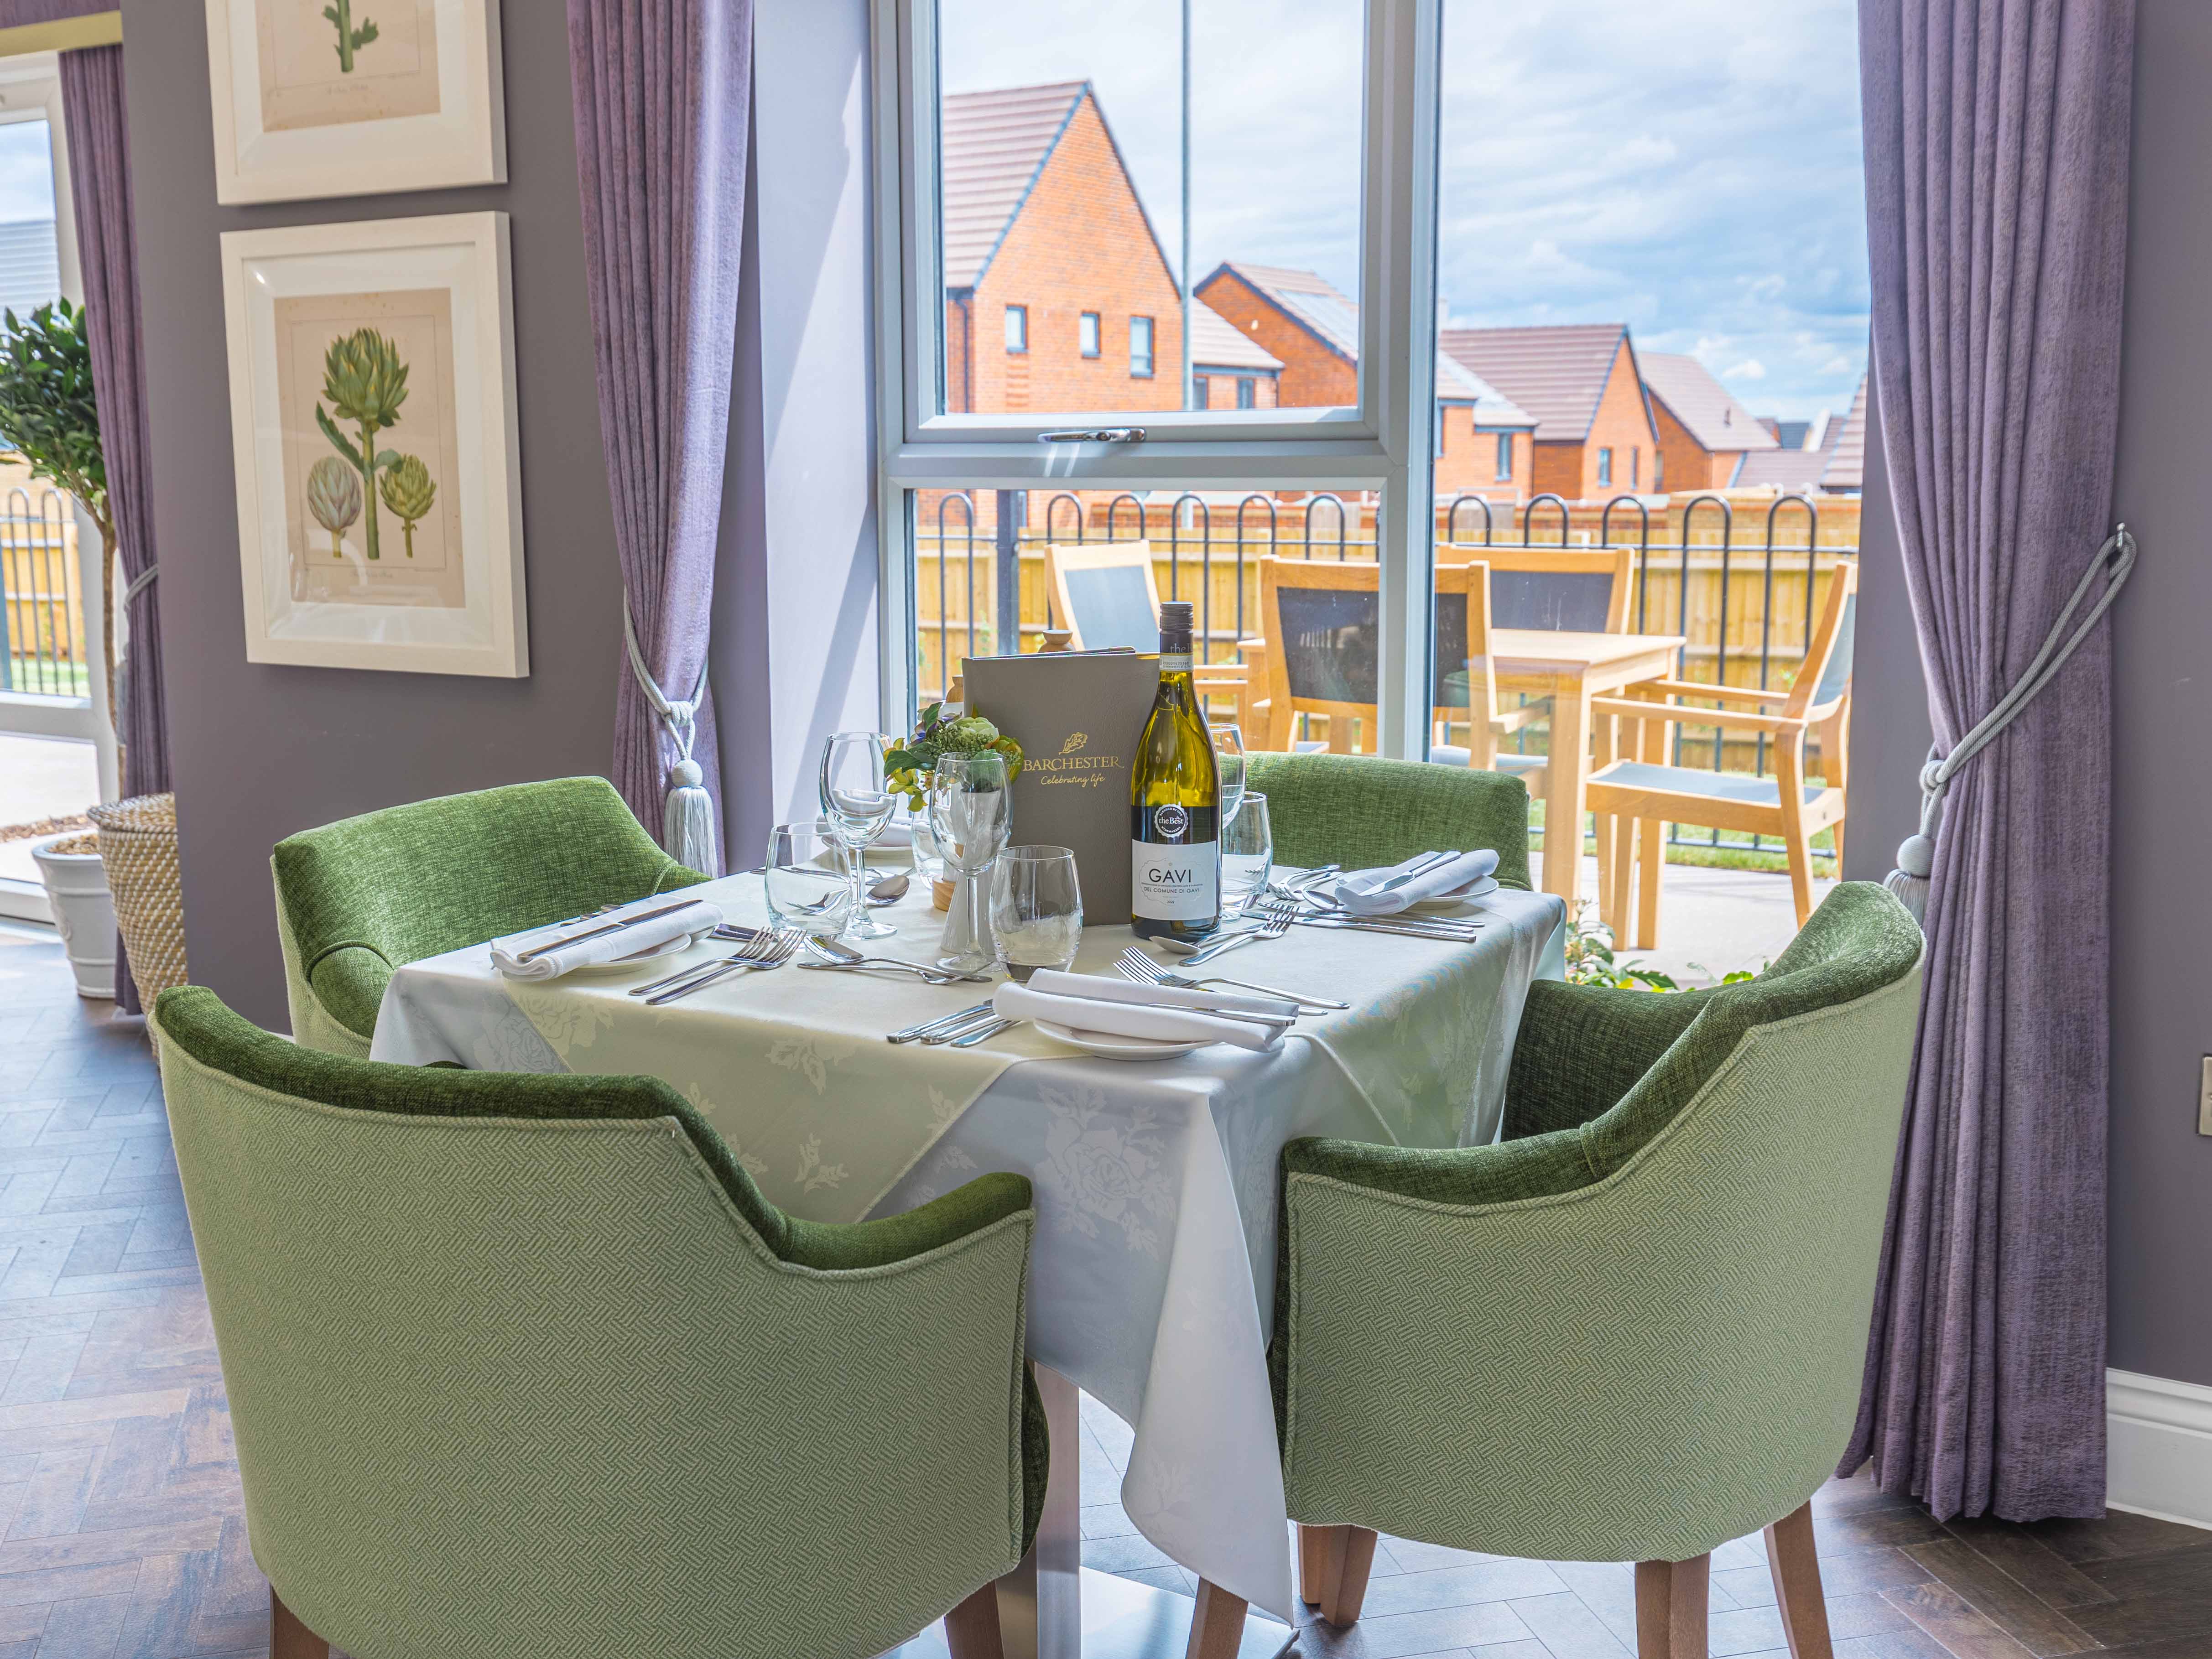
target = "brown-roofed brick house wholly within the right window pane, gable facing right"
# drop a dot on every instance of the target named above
(1594, 424)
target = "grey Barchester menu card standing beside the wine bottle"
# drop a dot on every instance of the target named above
(1078, 718)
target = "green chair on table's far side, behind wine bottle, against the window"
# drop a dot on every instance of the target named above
(1366, 813)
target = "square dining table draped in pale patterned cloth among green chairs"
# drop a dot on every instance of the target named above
(1156, 1182)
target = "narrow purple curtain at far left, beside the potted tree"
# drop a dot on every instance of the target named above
(107, 253)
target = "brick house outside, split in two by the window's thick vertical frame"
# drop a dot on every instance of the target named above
(1315, 331)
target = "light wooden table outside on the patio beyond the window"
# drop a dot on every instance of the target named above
(1572, 669)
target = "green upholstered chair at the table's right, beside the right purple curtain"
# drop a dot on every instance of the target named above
(1636, 1328)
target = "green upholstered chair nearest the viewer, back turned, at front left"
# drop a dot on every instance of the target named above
(525, 1368)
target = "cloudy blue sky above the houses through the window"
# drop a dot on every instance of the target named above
(1684, 167)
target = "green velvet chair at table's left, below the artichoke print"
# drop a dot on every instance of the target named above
(364, 897)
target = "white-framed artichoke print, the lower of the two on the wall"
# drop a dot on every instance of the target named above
(373, 415)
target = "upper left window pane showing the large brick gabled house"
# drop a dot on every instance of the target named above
(1063, 191)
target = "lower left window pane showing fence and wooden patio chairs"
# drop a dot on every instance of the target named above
(979, 589)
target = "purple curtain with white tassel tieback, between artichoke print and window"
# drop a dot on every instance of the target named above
(662, 92)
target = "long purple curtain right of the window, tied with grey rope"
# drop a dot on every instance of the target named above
(1996, 205)
